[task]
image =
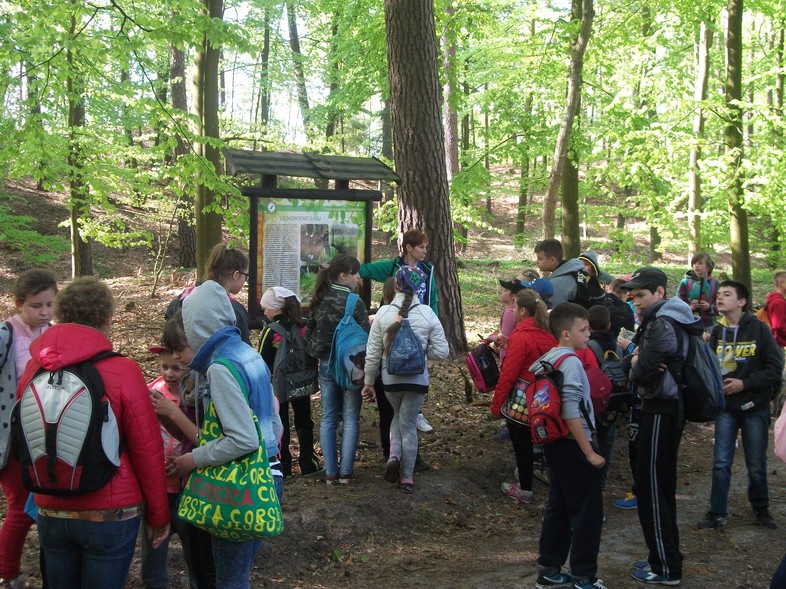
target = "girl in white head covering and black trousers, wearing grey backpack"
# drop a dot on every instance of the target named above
(282, 306)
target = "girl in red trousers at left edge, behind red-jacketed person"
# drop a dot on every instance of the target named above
(34, 296)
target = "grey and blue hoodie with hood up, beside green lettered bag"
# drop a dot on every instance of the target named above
(208, 319)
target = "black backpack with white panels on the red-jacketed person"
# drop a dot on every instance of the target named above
(64, 432)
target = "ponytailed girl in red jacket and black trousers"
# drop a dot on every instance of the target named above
(528, 342)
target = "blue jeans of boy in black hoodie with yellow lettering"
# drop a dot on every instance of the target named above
(755, 426)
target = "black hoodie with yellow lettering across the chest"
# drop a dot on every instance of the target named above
(748, 352)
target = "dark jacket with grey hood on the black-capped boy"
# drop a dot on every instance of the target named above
(662, 339)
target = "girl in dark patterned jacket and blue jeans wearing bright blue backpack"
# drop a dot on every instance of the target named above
(328, 302)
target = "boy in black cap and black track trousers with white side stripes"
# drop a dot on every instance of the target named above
(662, 341)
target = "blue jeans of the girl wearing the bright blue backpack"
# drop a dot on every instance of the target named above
(337, 403)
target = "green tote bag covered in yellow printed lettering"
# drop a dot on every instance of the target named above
(237, 500)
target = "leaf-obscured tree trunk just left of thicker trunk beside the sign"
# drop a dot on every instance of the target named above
(185, 224)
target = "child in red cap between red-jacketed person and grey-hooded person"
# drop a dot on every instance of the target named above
(164, 394)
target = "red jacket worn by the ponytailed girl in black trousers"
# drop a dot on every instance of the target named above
(526, 343)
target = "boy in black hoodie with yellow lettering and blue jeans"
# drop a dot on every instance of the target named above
(751, 364)
